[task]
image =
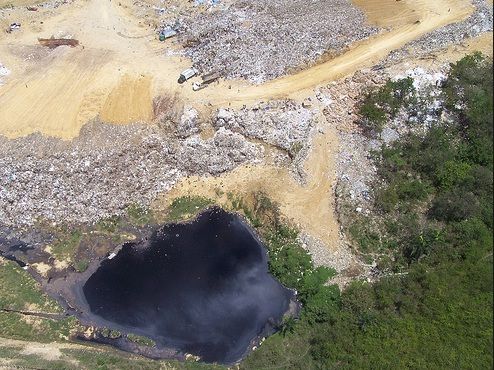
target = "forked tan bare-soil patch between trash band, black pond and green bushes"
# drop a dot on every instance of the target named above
(309, 206)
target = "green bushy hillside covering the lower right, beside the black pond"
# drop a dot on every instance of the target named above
(431, 232)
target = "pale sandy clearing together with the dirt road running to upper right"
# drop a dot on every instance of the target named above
(57, 93)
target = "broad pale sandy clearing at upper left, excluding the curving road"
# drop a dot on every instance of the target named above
(109, 74)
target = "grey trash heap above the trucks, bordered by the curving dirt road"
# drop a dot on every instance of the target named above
(263, 40)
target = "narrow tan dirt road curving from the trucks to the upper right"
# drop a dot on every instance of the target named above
(429, 14)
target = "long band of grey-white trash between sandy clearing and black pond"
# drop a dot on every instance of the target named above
(108, 167)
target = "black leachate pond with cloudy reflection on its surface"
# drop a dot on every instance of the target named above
(201, 287)
